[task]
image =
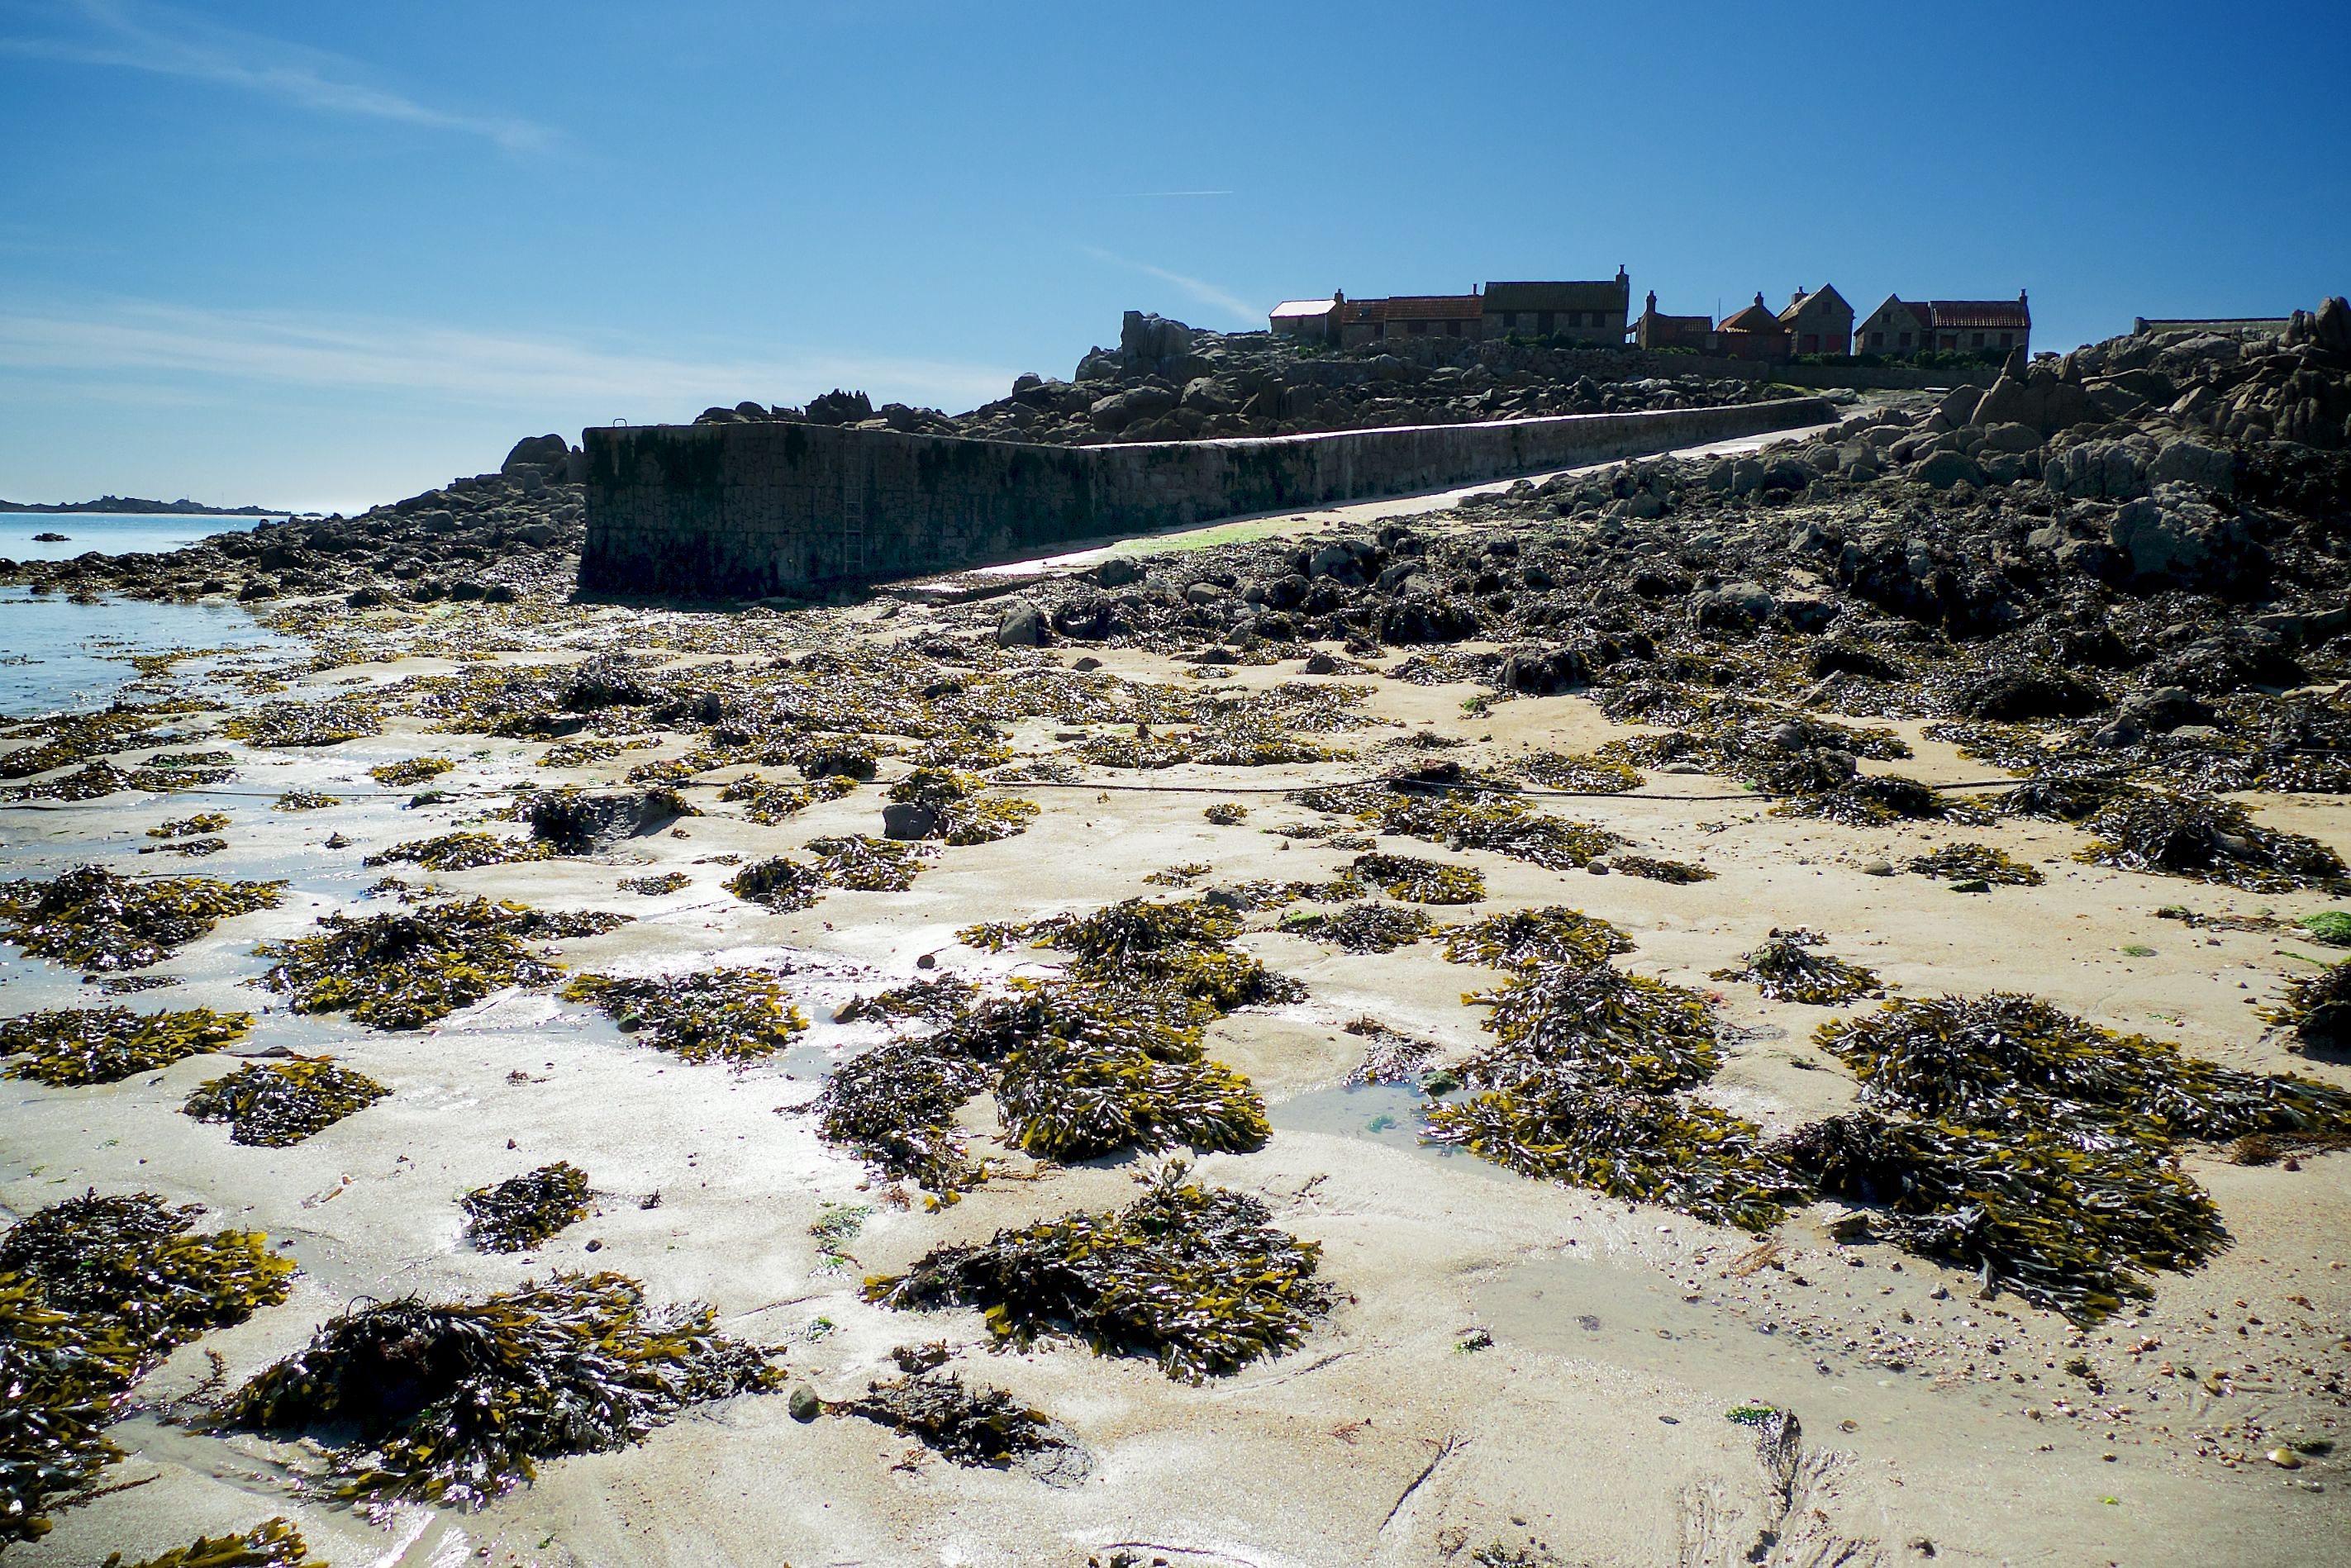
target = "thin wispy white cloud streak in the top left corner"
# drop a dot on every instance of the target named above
(168, 43)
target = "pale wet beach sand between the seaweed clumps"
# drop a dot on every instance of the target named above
(1511, 1362)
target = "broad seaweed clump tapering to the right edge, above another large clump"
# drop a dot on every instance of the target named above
(2004, 1059)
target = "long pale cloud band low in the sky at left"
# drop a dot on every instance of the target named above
(446, 363)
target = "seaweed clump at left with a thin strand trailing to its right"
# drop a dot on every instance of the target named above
(415, 967)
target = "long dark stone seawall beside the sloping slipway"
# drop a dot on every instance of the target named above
(779, 509)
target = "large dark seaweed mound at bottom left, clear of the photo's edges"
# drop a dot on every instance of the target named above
(460, 1402)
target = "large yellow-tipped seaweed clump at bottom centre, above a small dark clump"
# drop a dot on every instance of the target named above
(1186, 1275)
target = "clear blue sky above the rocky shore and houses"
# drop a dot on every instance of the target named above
(328, 255)
